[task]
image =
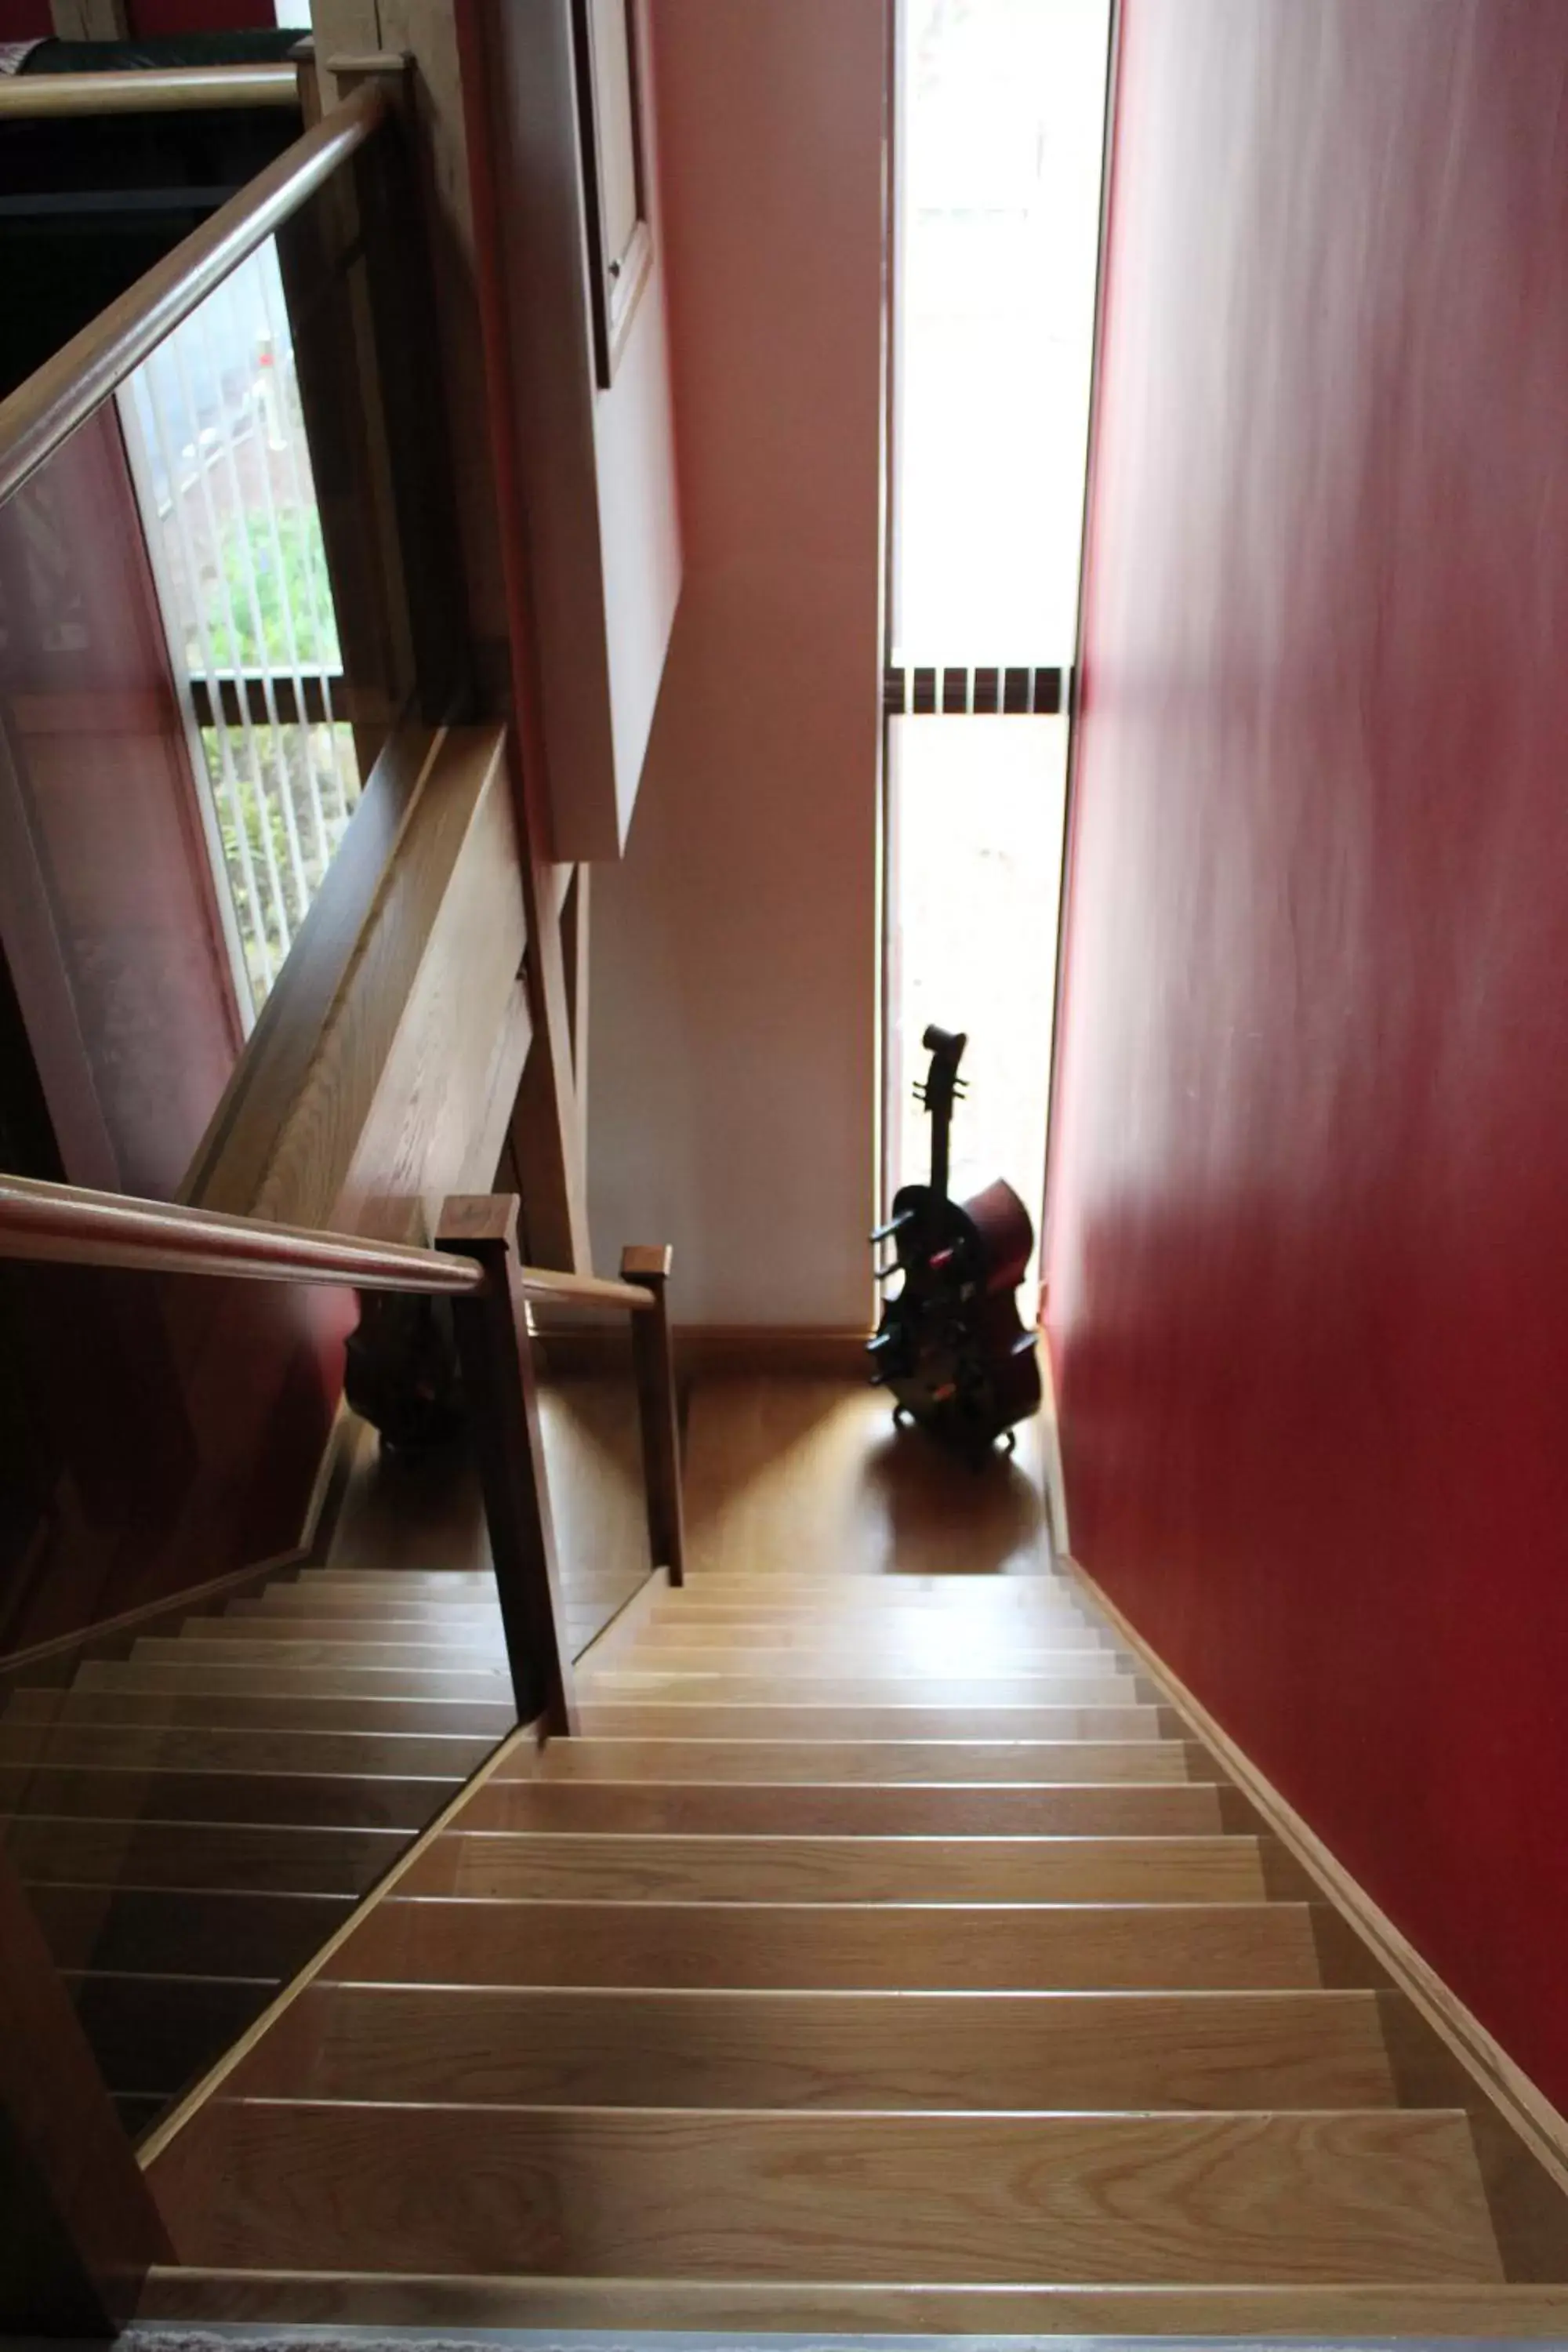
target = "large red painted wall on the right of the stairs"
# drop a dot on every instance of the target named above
(1311, 1187)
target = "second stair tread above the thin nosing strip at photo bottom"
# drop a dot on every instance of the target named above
(824, 2050)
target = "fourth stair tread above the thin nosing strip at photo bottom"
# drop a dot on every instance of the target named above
(782, 1869)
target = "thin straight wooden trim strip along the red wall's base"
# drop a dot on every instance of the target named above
(1501, 2080)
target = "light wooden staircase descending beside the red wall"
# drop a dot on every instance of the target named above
(885, 1956)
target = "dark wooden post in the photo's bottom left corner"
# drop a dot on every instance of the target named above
(79, 2226)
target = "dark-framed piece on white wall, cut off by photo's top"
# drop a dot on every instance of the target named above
(615, 185)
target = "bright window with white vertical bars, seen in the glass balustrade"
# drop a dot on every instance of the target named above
(222, 467)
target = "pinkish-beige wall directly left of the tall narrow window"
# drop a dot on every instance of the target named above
(735, 954)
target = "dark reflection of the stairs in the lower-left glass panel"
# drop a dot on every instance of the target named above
(196, 1819)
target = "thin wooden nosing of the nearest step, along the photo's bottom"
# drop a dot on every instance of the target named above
(833, 2311)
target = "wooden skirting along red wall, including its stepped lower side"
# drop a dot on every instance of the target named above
(1433, 2036)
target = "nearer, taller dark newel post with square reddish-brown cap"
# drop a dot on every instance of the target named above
(502, 1396)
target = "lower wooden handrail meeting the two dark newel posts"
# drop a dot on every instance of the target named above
(69, 1227)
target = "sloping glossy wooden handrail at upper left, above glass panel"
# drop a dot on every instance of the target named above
(83, 373)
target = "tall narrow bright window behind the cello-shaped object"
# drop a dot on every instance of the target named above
(1000, 123)
